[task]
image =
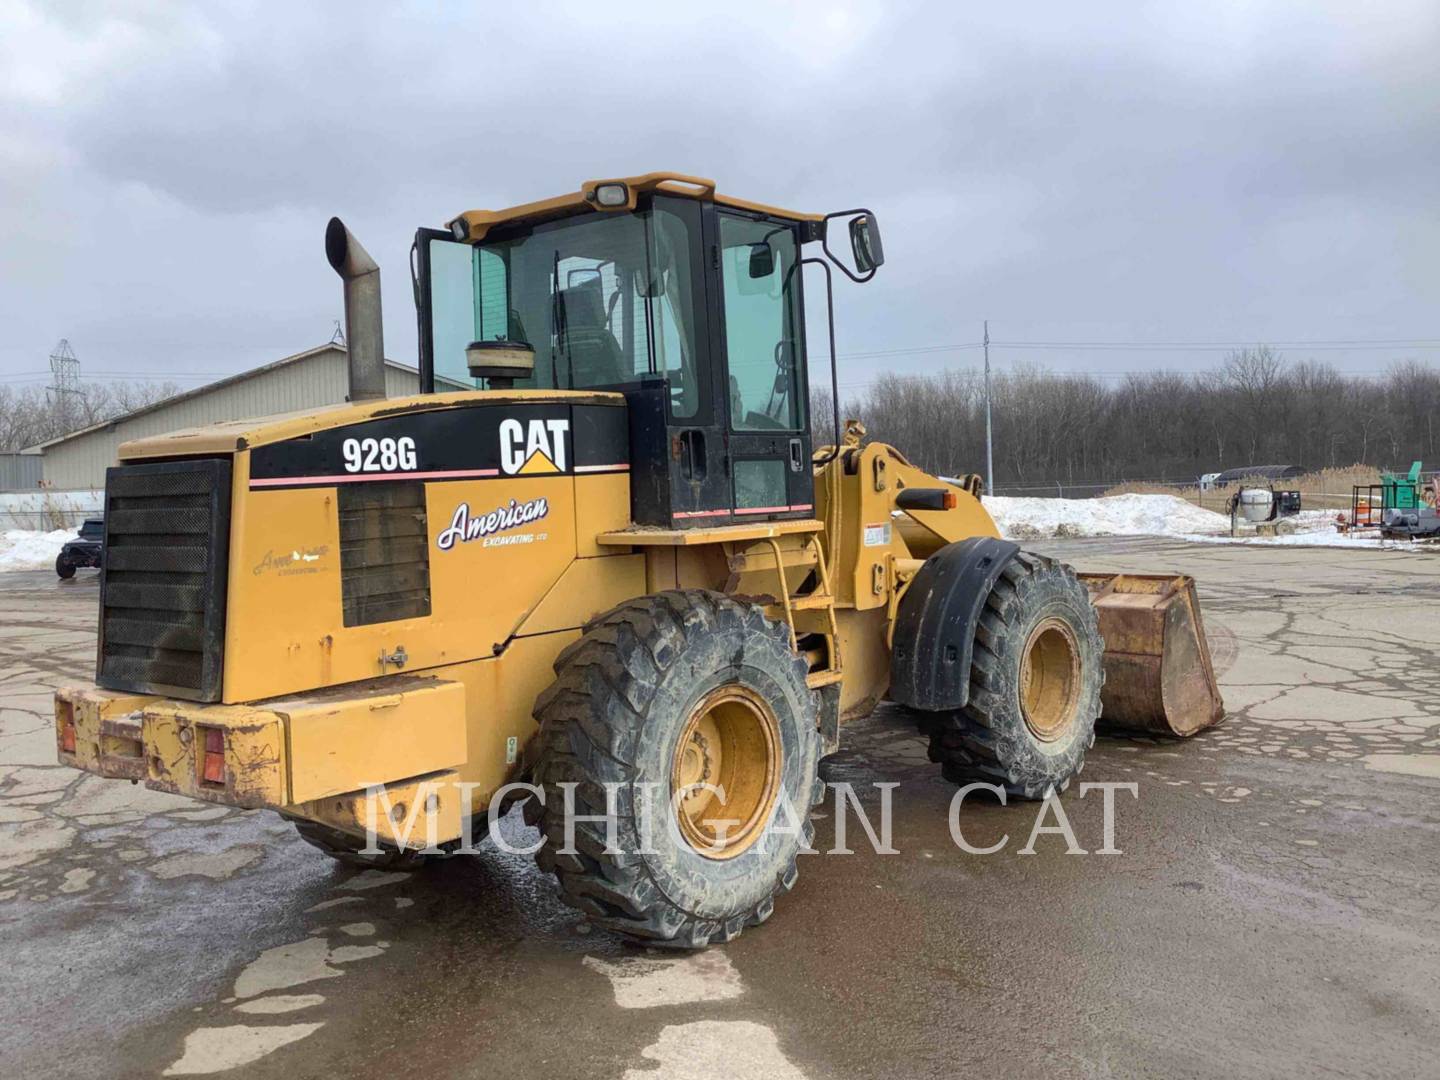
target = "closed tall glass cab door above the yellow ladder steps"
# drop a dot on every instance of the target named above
(761, 330)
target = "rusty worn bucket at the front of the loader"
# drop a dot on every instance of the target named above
(1158, 676)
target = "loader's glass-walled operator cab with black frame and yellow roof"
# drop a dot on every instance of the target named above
(689, 305)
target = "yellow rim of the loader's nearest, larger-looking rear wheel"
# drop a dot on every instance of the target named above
(731, 742)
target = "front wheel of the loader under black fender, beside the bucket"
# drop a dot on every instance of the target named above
(1036, 679)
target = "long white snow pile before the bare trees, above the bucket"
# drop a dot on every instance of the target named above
(1032, 519)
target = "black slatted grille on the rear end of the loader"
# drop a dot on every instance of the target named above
(162, 626)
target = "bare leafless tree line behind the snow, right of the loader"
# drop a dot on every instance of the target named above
(1254, 410)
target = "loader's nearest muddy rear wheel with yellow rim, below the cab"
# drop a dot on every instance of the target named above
(663, 693)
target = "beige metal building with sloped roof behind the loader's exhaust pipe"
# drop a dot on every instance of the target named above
(318, 377)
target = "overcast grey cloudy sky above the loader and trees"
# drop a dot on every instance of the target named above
(1076, 174)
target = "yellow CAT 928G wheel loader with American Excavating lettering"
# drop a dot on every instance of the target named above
(598, 555)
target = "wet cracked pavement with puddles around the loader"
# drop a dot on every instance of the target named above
(1275, 912)
